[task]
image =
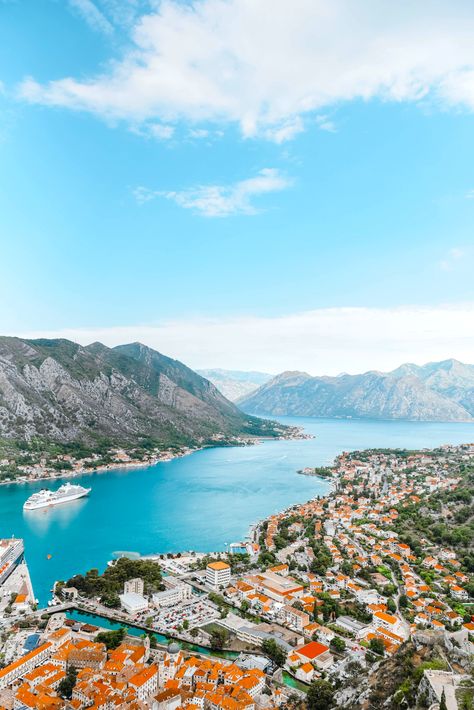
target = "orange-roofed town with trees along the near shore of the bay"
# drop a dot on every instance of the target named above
(311, 609)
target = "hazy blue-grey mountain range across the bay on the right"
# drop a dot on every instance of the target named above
(439, 391)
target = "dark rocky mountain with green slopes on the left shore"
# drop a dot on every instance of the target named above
(59, 390)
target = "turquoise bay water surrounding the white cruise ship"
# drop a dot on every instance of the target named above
(200, 502)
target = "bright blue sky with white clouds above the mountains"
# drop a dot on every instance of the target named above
(248, 184)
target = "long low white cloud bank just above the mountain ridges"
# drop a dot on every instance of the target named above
(324, 341)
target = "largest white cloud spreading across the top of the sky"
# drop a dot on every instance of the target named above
(264, 63)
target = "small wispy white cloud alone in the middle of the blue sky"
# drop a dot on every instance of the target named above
(221, 200)
